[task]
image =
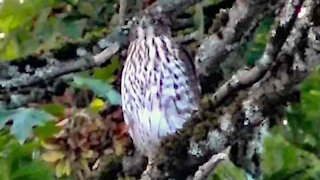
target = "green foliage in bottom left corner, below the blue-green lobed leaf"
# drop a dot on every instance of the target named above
(17, 161)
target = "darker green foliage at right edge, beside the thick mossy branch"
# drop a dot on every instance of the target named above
(303, 118)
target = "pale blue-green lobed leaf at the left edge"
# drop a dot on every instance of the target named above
(23, 121)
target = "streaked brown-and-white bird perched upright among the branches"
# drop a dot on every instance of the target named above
(159, 86)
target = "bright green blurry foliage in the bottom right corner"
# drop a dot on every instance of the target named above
(283, 160)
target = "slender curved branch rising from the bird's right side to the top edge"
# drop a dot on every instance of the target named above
(245, 78)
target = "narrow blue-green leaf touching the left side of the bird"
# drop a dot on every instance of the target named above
(100, 88)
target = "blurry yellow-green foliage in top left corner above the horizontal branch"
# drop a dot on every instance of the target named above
(33, 26)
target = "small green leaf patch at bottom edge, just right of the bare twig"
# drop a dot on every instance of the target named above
(226, 170)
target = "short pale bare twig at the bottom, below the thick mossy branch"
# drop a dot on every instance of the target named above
(205, 170)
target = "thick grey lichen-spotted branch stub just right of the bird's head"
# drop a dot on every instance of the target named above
(241, 15)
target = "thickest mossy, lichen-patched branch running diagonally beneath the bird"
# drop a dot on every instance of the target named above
(251, 107)
